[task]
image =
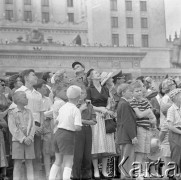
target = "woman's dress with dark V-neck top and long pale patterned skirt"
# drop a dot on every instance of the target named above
(103, 144)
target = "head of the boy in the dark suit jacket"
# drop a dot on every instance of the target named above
(126, 91)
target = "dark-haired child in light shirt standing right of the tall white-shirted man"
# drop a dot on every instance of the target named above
(47, 129)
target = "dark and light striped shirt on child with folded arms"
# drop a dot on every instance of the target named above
(142, 106)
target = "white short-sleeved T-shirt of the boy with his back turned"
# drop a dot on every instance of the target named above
(69, 117)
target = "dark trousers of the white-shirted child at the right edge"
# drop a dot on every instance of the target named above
(175, 147)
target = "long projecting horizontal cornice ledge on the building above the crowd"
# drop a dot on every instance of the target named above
(135, 56)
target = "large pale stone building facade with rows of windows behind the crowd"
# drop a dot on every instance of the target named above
(113, 34)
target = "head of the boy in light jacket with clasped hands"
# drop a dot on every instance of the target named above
(20, 98)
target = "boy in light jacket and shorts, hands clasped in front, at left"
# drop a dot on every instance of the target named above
(21, 126)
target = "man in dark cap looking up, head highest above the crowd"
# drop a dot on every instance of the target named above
(80, 75)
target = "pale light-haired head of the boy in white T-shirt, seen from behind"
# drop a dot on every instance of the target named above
(73, 94)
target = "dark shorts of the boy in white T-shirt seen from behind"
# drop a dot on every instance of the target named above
(64, 142)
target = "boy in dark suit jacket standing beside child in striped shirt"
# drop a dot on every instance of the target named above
(126, 130)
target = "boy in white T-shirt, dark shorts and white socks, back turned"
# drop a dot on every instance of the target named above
(69, 121)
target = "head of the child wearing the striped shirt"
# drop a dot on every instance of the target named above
(137, 89)
